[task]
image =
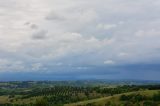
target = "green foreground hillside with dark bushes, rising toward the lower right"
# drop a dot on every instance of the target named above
(115, 100)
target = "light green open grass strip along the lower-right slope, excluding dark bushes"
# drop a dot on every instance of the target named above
(115, 98)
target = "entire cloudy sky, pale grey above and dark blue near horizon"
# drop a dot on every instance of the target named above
(79, 39)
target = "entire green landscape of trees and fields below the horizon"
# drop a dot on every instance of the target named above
(59, 94)
